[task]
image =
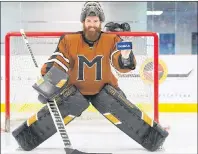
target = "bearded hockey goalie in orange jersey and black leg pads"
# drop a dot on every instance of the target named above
(79, 72)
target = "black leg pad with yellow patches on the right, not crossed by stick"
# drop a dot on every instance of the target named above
(127, 117)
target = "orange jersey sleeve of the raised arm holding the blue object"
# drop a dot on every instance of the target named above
(116, 57)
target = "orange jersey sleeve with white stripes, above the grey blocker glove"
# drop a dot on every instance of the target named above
(59, 59)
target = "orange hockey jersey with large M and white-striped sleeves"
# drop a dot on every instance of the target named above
(89, 68)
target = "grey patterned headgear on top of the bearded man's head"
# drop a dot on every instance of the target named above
(92, 9)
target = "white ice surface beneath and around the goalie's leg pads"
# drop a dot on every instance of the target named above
(101, 136)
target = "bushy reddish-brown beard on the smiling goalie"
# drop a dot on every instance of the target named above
(92, 35)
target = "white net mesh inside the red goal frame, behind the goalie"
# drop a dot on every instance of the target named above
(23, 99)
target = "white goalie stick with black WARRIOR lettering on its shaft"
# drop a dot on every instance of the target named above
(55, 112)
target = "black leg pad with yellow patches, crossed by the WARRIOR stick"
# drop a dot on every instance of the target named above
(40, 126)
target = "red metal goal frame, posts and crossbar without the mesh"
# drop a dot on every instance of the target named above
(8, 51)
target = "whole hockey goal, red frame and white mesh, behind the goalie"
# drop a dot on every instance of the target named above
(19, 101)
